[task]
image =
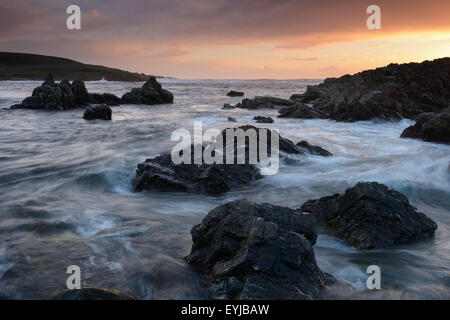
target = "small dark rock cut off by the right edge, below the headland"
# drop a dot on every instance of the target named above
(434, 127)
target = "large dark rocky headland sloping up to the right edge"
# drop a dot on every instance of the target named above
(390, 93)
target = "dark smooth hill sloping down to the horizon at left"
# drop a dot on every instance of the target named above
(24, 66)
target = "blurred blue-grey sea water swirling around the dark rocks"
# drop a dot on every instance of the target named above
(66, 196)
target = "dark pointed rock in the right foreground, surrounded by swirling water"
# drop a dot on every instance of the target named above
(371, 216)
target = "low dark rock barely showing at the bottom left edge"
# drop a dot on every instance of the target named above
(92, 294)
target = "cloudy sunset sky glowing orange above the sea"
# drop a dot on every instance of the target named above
(230, 39)
